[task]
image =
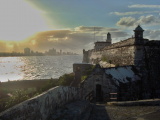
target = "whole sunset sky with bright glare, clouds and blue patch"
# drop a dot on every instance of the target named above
(73, 25)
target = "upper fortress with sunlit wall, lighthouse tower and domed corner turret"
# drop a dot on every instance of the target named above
(126, 52)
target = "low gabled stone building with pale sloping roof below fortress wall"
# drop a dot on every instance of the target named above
(110, 80)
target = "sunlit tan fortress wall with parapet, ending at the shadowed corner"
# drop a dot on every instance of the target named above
(121, 53)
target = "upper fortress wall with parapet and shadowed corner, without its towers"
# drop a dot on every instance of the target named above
(126, 52)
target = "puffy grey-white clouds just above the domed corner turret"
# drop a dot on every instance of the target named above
(143, 20)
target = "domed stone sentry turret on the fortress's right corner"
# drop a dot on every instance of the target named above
(138, 32)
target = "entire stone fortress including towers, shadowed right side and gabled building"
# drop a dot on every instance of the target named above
(137, 75)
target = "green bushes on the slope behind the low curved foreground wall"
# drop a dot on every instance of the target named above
(21, 95)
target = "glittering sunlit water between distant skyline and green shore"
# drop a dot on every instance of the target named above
(36, 67)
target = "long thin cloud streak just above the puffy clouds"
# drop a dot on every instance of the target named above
(132, 13)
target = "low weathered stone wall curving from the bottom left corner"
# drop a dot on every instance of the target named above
(41, 106)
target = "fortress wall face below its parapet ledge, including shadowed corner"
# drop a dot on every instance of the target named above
(124, 55)
